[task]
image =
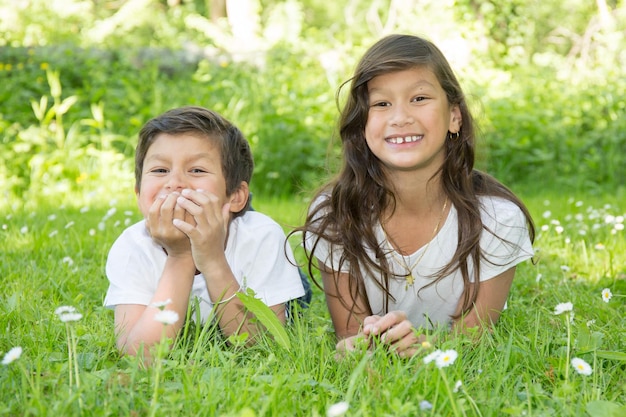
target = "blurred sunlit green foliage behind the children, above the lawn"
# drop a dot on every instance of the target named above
(79, 78)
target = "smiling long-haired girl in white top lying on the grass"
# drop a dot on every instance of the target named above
(409, 235)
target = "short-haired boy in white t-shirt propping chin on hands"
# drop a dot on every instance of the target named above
(199, 238)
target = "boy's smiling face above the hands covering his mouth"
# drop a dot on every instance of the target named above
(176, 162)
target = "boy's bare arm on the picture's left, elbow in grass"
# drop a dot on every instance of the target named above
(136, 326)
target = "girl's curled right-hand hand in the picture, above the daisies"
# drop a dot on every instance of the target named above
(395, 331)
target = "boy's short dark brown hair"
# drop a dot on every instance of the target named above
(236, 156)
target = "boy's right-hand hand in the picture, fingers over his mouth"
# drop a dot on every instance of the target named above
(207, 229)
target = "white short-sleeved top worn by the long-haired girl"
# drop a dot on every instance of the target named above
(434, 305)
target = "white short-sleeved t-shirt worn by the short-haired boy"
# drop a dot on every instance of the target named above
(255, 251)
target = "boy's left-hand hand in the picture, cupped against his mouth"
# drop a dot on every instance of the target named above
(160, 225)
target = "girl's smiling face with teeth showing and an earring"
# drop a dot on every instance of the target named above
(408, 120)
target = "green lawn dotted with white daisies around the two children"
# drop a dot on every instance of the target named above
(53, 256)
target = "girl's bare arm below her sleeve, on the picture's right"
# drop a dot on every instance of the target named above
(489, 303)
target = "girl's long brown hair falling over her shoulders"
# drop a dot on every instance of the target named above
(357, 197)
